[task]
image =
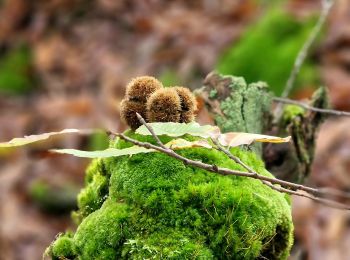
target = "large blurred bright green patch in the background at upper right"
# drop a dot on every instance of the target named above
(267, 50)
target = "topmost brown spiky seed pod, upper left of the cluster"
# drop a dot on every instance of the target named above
(139, 89)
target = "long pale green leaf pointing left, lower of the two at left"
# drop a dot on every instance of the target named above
(110, 152)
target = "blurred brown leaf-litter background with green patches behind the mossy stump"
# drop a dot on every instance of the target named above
(65, 64)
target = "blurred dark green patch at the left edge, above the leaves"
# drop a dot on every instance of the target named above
(15, 66)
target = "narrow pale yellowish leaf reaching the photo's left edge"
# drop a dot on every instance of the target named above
(35, 138)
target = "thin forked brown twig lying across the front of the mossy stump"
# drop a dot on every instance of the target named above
(287, 187)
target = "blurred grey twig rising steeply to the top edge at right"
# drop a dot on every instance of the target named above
(326, 7)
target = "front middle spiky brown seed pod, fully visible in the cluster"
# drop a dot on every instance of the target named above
(164, 105)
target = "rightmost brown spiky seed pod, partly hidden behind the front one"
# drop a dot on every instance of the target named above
(188, 104)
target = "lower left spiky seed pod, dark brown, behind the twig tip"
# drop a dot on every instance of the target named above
(128, 111)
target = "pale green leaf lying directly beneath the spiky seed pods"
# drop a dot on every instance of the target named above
(179, 129)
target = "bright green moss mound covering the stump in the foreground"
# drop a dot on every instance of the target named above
(158, 208)
